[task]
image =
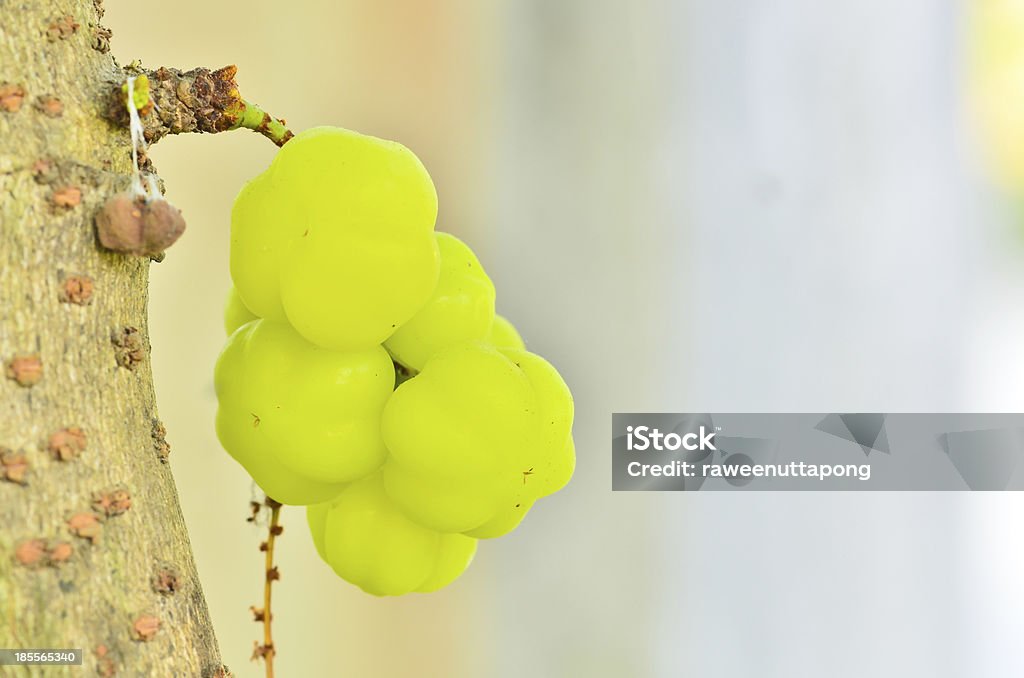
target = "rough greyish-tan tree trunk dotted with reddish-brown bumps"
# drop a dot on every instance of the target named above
(94, 550)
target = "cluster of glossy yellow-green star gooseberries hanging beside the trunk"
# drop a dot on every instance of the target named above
(339, 277)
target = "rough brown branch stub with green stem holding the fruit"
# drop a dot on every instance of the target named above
(197, 101)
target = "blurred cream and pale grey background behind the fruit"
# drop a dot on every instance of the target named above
(693, 206)
